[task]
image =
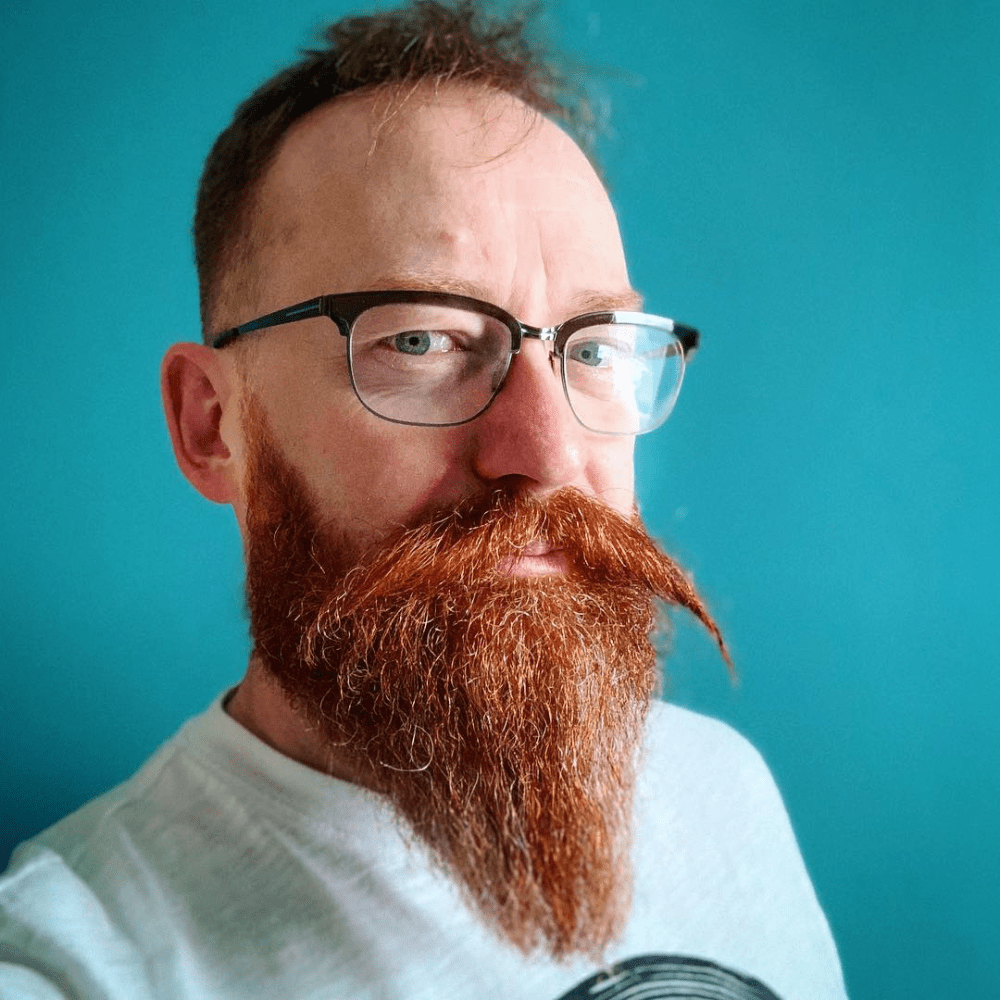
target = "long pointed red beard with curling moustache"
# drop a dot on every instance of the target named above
(502, 716)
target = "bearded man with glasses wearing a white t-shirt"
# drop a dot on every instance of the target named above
(442, 774)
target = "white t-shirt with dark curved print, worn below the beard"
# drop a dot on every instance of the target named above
(225, 870)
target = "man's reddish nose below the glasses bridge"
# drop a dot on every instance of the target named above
(529, 433)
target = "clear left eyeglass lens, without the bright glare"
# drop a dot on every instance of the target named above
(427, 364)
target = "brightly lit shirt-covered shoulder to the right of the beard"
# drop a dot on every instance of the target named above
(715, 844)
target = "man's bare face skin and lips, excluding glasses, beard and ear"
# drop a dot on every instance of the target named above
(464, 192)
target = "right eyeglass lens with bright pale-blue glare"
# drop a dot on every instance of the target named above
(623, 378)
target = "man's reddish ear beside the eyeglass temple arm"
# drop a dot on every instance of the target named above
(201, 402)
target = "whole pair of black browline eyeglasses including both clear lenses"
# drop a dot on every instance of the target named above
(439, 360)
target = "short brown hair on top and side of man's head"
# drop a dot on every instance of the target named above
(426, 41)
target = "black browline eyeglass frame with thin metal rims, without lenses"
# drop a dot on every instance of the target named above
(345, 308)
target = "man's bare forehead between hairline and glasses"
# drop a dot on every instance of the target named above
(466, 187)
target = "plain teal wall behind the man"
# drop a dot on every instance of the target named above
(814, 184)
